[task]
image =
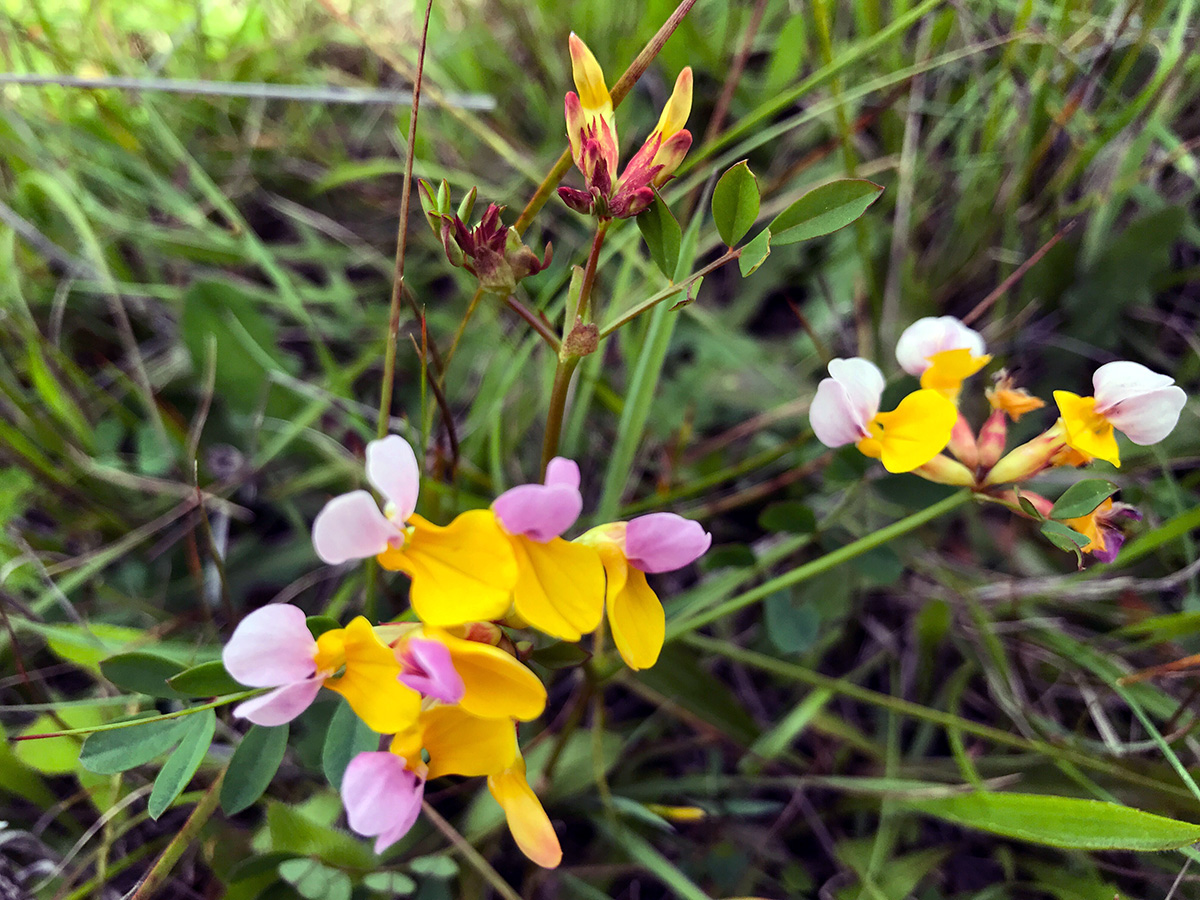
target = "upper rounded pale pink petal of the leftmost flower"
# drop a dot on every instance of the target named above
(271, 647)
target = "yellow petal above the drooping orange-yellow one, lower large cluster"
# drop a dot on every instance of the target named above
(465, 745)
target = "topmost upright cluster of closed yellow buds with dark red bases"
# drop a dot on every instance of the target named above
(592, 131)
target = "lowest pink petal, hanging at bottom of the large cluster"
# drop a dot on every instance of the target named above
(382, 797)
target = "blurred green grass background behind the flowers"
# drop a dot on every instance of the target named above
(195, 292)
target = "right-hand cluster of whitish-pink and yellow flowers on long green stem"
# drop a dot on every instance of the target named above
(943, 352)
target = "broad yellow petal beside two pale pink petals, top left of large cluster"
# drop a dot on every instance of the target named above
(461, 573)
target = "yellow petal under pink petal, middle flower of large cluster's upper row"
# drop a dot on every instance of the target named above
(560, 587)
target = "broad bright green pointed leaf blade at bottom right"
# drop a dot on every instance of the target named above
(1060, 821)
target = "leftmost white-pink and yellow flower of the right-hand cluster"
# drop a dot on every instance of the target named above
(847, 411)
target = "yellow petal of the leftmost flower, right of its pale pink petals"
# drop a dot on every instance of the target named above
(369, 682)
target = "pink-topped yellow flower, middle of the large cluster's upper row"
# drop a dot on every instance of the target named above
(561, 586)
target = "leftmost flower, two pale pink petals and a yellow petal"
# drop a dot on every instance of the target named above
(274, 649)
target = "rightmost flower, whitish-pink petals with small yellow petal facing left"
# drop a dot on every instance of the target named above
(1129, 398)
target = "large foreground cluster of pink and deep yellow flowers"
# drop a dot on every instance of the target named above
(449, 688)
